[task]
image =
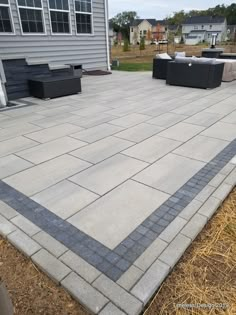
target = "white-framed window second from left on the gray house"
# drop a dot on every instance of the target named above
(31, 16)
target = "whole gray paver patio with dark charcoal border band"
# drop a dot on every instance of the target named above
(107, 189)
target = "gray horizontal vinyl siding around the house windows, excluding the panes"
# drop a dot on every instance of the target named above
(89, 50)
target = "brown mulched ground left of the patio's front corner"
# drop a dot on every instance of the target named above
(32, 292)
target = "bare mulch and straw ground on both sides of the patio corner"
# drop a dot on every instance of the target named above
(206, 274)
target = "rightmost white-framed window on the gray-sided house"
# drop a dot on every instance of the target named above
(83, 12)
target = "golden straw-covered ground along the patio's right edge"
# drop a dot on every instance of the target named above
(207, 272)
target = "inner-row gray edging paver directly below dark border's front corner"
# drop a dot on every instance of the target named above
(128, 303)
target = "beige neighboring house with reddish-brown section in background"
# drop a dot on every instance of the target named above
(150, 29)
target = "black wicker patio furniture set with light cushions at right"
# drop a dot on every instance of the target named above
(195, 72)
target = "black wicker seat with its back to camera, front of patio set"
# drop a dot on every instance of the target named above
(199, 75)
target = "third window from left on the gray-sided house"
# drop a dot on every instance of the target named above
(59, 15)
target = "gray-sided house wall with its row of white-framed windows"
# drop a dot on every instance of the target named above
(56, 31)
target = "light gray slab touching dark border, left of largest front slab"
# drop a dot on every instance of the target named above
(65, 198)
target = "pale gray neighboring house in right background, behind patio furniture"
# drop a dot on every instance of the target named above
(198, 29)
